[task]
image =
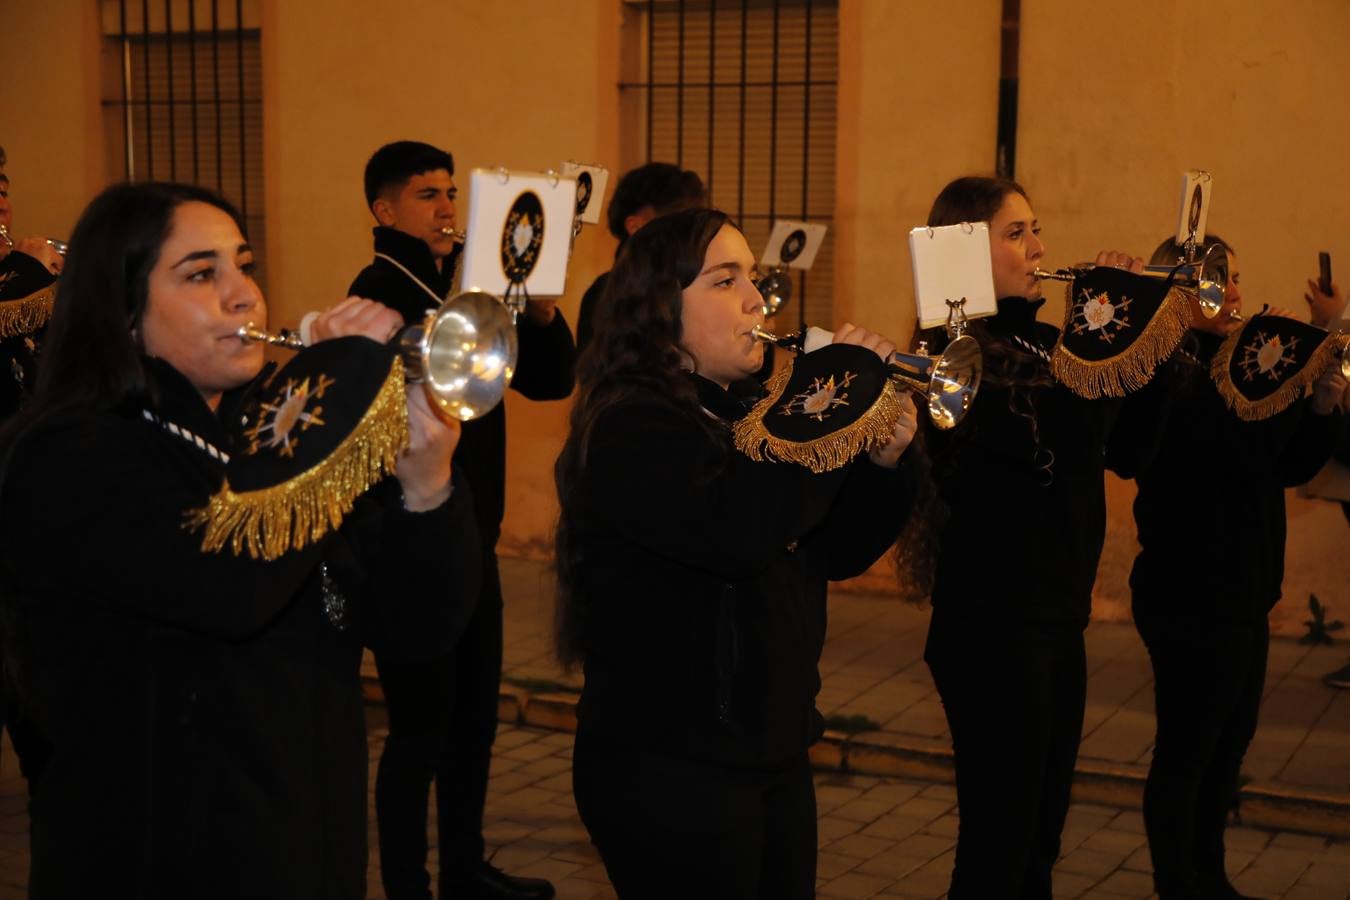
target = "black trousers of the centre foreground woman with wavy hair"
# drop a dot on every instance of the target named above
(670, 829)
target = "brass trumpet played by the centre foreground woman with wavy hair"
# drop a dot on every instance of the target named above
(948, 383)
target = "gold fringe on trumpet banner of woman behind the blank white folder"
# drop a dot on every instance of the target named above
(1133, 368)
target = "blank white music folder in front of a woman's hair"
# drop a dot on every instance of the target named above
(952, 262)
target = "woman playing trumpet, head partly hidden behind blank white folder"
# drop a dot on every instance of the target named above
(1020, 485)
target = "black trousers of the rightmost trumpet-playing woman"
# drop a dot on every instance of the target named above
(1208, 685)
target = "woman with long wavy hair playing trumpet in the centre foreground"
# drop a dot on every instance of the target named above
(693, 580)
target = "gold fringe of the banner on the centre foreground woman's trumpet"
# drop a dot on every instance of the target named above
(823, 454)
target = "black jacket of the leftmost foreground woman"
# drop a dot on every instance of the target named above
(205, 710)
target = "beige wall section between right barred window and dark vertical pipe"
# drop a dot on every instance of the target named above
(917, 106)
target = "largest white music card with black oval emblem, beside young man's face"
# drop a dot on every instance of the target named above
(520, 230)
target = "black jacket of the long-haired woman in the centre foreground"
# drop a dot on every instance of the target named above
(703, 582)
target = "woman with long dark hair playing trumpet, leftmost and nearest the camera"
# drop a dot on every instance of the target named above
(203, 710)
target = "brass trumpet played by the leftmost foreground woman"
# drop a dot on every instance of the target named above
(464, 353)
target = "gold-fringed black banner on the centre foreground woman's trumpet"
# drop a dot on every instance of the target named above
(823, 410)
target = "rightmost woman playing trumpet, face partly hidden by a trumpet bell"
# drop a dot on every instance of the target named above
(1212, 524)
